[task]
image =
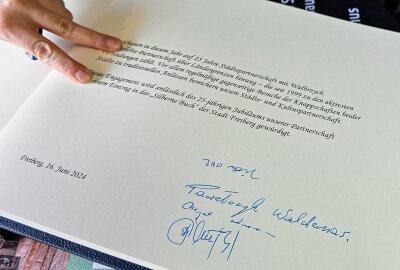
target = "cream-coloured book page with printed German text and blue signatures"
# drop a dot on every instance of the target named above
(226, 135)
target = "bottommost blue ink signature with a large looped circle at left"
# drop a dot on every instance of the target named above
(188, 230)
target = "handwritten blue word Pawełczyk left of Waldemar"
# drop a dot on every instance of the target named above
(226, 197)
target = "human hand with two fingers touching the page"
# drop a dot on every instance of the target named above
(20, 21)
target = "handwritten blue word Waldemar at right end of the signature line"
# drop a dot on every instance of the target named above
(306, 222)
